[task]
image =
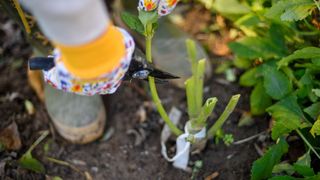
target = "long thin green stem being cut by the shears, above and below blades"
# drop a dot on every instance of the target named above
(152, 85)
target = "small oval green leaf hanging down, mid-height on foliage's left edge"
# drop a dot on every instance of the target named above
(259, 100)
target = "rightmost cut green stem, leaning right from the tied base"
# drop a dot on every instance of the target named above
(224, 116)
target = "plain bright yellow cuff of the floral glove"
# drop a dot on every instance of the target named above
(95, 58)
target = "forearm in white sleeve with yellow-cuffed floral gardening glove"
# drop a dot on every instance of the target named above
(91, 55)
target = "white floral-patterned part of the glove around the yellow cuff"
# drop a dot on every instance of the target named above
(60, 77)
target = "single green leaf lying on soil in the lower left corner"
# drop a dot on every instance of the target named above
(30, 163)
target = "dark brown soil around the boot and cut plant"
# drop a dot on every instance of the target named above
(118, 157)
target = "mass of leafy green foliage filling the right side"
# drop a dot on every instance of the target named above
(279, 52)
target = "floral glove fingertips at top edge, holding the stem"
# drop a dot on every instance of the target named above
(165, 7)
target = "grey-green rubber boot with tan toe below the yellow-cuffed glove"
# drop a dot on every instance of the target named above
(78, 119)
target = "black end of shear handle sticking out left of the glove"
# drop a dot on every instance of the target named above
(41, 63)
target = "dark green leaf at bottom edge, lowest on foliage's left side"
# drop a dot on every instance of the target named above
(262, 168)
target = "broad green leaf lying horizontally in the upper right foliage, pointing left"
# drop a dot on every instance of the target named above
(255, 47)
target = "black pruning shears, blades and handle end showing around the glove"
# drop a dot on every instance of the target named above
(139, 68)
